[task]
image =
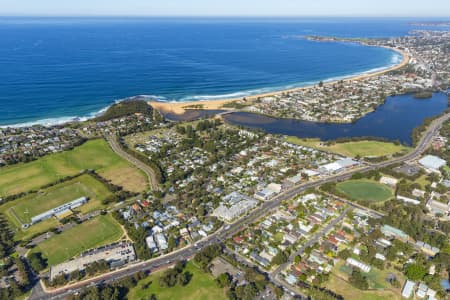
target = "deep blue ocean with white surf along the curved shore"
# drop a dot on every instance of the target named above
(53, 69)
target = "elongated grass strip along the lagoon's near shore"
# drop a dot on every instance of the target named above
(353, 149)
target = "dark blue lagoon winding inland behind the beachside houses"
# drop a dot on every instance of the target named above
(394, 121)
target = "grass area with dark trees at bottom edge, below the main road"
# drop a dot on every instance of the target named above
(201, 287)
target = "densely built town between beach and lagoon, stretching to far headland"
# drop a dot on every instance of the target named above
(424, 69)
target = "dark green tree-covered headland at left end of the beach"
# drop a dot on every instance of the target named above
(125, 108)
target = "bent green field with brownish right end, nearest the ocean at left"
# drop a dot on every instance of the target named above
(94, 154)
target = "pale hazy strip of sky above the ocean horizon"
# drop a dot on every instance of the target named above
(386, 8)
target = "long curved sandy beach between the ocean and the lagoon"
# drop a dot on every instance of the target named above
(180, 107)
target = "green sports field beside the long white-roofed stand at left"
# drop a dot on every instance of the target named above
(23, 209)
